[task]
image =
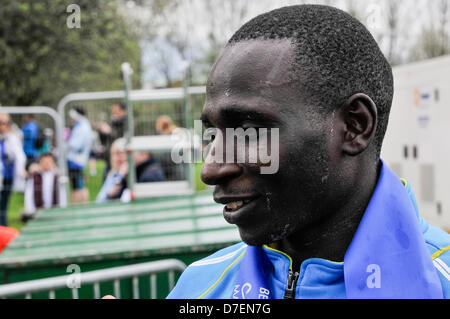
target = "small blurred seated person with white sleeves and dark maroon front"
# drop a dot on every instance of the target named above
(41, 189)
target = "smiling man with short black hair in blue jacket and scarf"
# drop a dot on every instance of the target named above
(333, 221)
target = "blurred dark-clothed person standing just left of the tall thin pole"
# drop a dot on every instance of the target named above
(111, 132)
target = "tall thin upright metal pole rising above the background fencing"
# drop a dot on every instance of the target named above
(127, 71)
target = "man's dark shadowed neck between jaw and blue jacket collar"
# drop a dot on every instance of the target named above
(330, 238)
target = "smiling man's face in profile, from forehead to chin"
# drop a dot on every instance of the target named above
(250, 86)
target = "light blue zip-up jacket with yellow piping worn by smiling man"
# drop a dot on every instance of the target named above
(215, 276)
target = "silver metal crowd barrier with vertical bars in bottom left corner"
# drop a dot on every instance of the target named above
(96, 277)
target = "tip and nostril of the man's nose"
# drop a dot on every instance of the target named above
(218, 173)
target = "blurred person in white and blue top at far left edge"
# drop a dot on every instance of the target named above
(12, 159)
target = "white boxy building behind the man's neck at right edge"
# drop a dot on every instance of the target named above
(417, 142)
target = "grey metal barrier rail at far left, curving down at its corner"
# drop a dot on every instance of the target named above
(63, 179)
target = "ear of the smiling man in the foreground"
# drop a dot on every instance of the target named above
(360, 116)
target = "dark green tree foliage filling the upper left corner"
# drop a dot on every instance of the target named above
(41, 59)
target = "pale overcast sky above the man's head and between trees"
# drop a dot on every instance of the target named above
(193, 21)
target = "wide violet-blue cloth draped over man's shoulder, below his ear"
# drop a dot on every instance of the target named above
(388, 257)
